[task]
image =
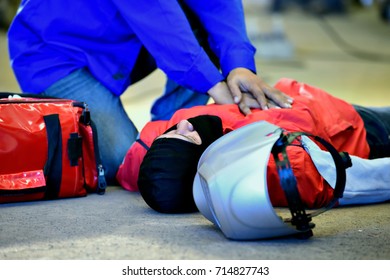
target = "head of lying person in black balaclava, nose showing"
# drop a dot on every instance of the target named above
(168, 169)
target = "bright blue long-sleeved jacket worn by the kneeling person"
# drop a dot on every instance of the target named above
(49, 39)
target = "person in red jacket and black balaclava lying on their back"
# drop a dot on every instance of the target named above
(163, 162)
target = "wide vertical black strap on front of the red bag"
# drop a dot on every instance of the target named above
(53, 166)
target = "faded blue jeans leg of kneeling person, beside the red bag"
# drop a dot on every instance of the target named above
(116, 132)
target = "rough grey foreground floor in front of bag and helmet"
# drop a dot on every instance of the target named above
(119, 225)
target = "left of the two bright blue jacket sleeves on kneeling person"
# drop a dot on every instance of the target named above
(163, 29)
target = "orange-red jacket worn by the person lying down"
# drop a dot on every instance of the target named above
(314, 111)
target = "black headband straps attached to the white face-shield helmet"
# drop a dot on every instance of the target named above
(300, 219)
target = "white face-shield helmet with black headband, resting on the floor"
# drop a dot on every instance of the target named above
(230, 187)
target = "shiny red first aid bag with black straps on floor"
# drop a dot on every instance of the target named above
(48, 149)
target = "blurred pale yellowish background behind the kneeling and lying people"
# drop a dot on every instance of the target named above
(341, 46)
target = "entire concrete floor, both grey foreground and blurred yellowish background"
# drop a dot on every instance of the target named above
(119, 225)
